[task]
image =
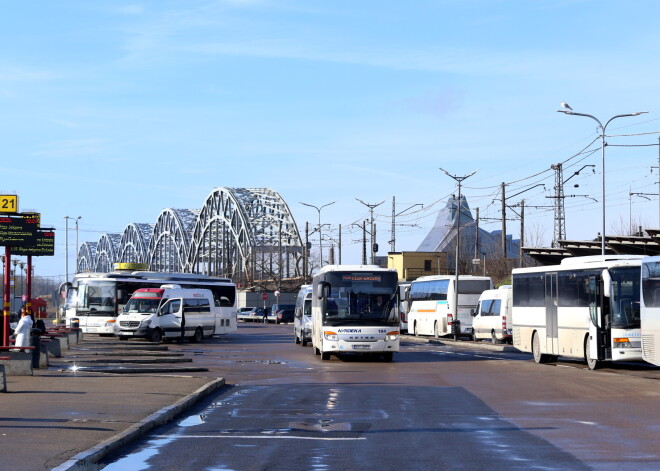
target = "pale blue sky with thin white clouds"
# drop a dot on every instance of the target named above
(114, 111)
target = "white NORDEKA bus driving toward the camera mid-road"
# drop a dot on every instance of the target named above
(355, 309)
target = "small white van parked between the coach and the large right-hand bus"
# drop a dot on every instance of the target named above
(492, 318)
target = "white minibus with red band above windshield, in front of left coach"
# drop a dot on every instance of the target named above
(156, 313)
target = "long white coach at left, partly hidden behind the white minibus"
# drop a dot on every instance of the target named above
(95, 300)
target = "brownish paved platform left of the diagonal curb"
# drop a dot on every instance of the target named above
(65, 419)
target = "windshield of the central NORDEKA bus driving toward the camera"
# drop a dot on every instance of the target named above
(365, 298)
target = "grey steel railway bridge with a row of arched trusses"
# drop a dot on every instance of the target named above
(247, 234)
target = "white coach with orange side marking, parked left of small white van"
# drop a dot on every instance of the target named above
(432, 302)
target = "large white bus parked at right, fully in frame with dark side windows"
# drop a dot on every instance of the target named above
(586, 307)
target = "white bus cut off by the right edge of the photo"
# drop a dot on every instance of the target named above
(650, 315)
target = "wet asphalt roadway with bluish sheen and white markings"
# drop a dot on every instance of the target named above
(439, 405)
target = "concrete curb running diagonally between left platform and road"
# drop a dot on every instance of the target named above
(88, 460)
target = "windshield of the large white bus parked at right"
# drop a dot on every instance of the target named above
(625, 297)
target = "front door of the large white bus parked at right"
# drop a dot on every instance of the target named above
(599, 347)
